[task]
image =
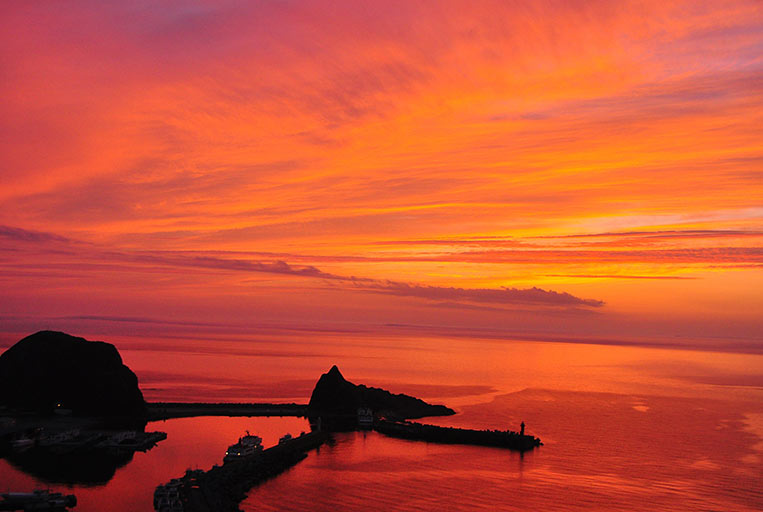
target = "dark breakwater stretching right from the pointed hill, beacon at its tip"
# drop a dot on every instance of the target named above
(433, 433)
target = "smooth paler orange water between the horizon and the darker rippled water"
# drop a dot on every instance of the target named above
(456, 371)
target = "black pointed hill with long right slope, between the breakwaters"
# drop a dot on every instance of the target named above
(334, 395)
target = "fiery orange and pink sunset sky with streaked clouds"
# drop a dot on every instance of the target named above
(561, 170)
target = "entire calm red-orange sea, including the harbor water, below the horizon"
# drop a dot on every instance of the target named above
(624, 428)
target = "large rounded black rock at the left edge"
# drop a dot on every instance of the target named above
(49, 370)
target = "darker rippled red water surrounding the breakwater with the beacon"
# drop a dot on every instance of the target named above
(599, 454)
